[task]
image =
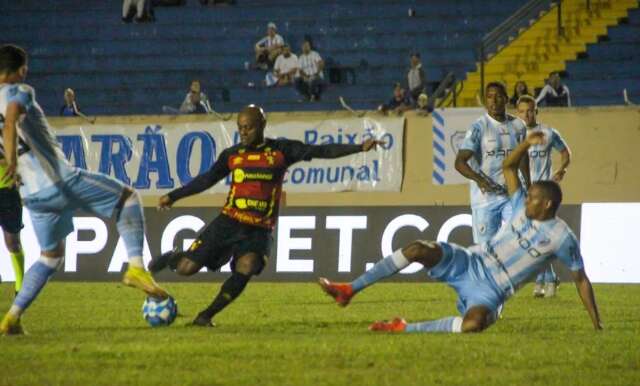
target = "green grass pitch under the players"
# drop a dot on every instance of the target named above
(292, 334)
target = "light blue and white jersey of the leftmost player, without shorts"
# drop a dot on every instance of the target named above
(41, 161)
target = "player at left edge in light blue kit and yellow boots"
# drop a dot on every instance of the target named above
(53, 190)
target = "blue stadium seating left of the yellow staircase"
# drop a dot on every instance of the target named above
(119, 68)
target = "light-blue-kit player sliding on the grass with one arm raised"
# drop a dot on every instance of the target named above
(486, 275)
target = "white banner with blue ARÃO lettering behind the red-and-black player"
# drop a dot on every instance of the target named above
(156, 159)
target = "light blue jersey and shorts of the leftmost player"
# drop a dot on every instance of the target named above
(52, 188)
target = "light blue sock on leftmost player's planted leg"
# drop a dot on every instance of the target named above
(35, 278)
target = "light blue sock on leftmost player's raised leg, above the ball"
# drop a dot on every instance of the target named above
(131, 228)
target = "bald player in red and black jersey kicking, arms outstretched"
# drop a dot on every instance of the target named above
(242, 232)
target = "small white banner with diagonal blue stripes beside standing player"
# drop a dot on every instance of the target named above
(449, 128)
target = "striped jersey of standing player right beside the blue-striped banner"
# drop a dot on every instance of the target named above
(491, 141)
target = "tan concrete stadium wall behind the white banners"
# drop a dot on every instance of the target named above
(605, 142)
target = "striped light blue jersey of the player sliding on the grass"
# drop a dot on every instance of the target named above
(523, 246)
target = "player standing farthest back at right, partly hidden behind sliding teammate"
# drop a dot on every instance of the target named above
(540, 168)
